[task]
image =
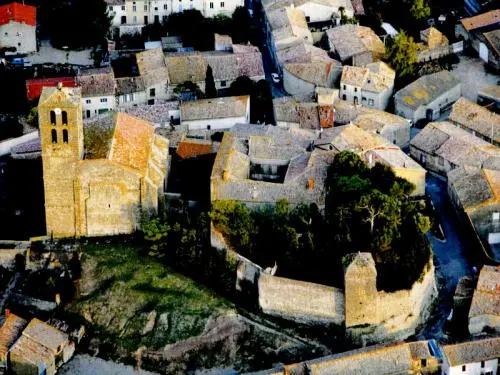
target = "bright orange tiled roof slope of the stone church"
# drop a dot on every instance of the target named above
(132, 142)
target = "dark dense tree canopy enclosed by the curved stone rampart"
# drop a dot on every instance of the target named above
(366, 210)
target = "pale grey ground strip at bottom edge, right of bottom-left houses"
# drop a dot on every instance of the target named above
(87, 365)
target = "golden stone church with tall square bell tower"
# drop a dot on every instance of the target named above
(97, 193)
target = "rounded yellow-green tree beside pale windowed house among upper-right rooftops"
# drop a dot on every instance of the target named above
(402, 54)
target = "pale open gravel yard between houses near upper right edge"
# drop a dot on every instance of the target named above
(473, 76)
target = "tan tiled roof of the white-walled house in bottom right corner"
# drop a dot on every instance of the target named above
(472, 351)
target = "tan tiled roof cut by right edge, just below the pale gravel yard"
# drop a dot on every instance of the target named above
(474, 117)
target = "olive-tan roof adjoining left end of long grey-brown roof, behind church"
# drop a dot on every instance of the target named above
(186, 67)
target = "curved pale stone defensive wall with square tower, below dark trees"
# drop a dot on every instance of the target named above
(369, 315)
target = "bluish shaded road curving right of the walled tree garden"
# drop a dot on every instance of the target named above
(451, 257)
